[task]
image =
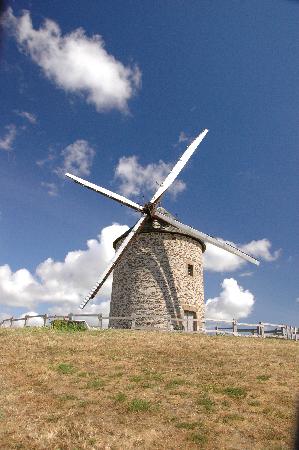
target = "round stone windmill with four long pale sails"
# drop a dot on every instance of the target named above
(158, 262)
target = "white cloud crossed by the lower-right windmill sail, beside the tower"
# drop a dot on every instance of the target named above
(218, 260)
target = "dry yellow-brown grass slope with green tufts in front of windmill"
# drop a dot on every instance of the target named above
(123, 389)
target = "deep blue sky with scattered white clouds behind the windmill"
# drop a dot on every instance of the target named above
(120, 109)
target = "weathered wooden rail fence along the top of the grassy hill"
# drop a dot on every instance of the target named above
(208, 326)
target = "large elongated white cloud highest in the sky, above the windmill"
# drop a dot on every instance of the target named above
(76, 63)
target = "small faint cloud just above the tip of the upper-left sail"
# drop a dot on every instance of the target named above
(77, 159)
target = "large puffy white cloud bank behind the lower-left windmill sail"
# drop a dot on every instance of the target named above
(61, 283)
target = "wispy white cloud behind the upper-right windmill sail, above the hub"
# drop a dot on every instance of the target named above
(136, 179)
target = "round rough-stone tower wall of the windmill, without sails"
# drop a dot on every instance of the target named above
(152, 282)
